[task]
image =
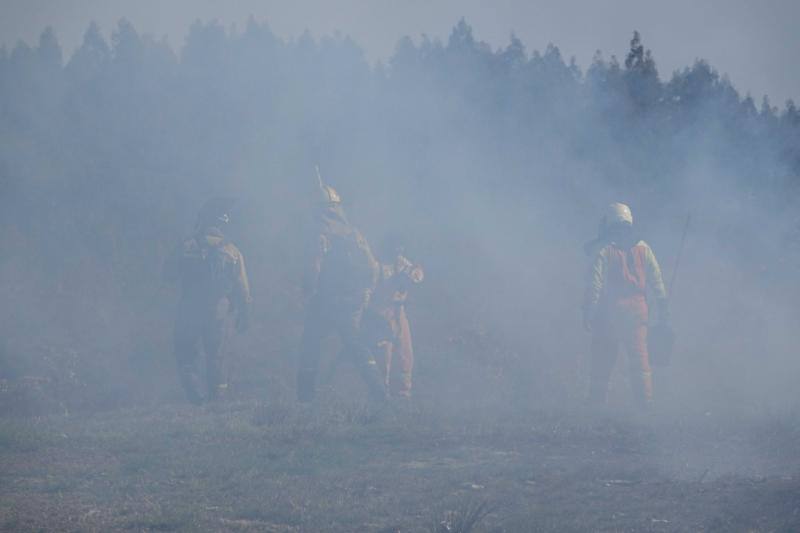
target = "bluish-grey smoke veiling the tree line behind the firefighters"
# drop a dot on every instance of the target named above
(494, 164)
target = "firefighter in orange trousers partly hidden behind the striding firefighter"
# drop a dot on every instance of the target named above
(389, 329)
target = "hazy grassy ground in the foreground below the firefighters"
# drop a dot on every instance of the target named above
(249, 465)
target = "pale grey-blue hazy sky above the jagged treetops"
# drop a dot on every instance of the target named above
(754, 42)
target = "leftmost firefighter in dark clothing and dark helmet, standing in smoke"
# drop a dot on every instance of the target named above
(215, 295)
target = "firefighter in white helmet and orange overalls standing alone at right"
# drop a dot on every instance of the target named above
(615, 308)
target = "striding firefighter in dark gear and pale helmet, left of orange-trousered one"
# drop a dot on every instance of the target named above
(339, 281)
